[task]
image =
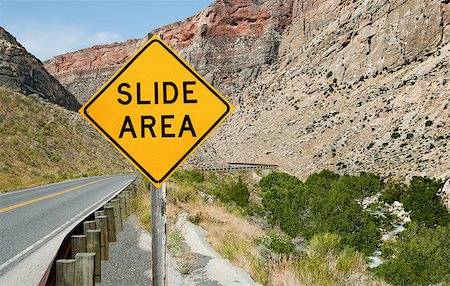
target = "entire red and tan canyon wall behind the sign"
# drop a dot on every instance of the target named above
(343, 85)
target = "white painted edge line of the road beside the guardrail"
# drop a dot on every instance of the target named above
(75, 221)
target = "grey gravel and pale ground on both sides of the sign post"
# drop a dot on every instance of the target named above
(129, 261)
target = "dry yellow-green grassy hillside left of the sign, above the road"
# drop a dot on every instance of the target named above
(42, 142)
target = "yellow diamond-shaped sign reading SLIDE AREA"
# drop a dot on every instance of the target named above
(156, 110)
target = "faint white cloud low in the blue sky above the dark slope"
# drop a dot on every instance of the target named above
(47, 40)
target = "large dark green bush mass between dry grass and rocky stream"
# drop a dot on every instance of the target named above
(327, 202)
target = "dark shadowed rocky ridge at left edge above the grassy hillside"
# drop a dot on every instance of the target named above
(22, 72)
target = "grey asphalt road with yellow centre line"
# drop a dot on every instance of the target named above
(29, 218)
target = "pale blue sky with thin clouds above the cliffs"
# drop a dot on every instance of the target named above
(50, 28)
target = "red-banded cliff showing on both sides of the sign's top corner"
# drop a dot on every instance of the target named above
(230, 43)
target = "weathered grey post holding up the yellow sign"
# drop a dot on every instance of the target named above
(159, 235)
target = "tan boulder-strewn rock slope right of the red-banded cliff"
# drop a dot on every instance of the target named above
(357, 86)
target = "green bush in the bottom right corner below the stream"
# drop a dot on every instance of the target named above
(422, 258)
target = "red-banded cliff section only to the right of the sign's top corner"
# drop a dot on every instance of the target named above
(231, 42)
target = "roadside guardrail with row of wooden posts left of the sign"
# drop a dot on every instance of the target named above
(78, 260)
